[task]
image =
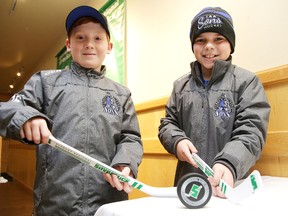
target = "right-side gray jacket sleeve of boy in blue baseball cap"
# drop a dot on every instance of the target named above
(129, 149)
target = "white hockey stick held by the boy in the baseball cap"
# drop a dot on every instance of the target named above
(86, 159)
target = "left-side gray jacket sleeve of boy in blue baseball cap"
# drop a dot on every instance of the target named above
(23, 106)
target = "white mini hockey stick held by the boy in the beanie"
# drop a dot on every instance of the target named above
(236, 195)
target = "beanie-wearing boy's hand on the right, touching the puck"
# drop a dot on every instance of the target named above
(220, 172)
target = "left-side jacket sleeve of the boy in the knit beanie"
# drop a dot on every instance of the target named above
(169, 131)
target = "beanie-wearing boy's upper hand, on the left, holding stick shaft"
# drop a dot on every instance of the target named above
(184, 151)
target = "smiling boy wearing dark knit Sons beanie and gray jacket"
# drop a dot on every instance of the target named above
(218, 110)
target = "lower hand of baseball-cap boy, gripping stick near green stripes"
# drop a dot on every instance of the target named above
(114, 181)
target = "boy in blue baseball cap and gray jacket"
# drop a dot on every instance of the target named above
(83, 108)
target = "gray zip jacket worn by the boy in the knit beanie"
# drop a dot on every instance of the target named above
(226, 120)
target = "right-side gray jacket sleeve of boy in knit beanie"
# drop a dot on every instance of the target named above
(250, 129)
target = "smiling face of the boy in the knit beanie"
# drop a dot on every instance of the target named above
(210, 46)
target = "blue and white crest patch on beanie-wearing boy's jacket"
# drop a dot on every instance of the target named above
(223, 107)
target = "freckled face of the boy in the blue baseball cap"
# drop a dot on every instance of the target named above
(89, 44)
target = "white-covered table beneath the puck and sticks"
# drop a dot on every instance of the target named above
(268, 200)
